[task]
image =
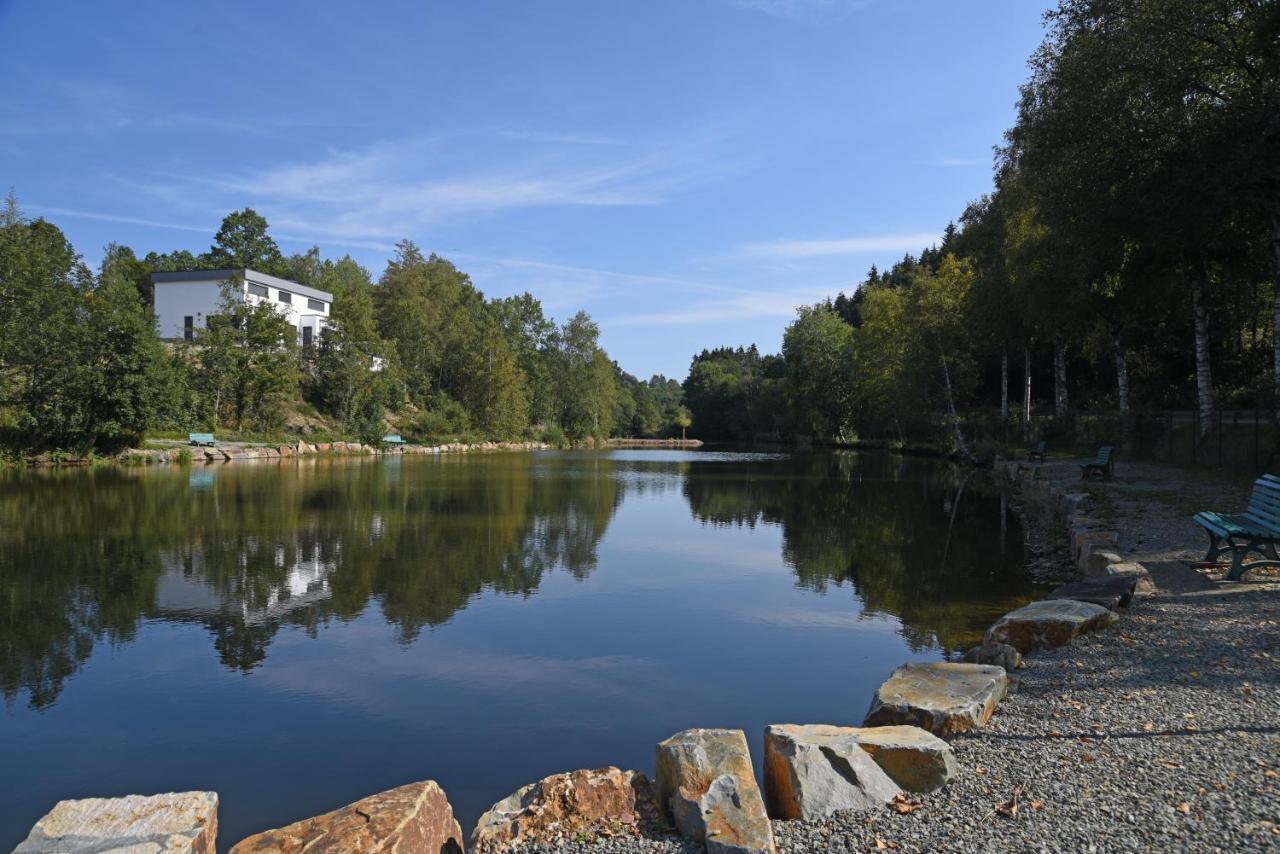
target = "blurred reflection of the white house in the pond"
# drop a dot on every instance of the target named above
(189, 590)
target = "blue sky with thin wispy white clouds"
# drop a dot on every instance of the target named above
(688, 171)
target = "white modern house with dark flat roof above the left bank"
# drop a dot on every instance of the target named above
(185, 300)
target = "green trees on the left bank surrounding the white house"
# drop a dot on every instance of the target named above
(83, 366)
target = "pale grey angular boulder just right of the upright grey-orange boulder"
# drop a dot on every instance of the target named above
(813, 771)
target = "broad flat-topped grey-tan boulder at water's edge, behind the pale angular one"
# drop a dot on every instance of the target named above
(943, 697)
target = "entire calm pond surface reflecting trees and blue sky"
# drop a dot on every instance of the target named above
(299, 636)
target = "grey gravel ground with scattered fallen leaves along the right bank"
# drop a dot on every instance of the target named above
(1160, 733)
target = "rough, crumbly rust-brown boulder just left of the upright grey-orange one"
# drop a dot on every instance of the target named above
(605, 802)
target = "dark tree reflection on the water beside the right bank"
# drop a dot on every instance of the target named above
(924, 542)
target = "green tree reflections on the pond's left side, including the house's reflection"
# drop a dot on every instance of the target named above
(245, 550)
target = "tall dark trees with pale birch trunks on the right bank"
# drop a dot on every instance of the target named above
(1128, 258)
